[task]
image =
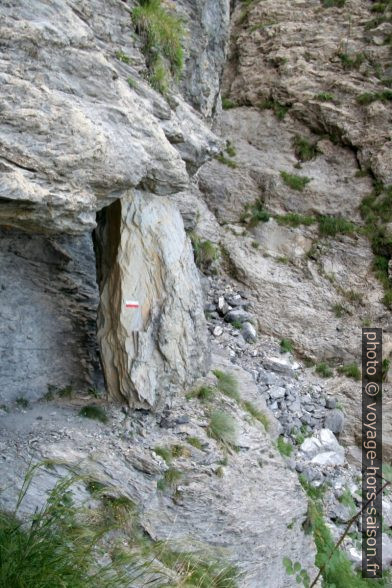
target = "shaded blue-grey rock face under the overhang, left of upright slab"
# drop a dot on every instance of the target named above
(48, 305)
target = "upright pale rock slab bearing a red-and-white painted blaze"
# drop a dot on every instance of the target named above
(149, 351)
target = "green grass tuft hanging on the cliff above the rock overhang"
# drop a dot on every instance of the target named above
(162, 35)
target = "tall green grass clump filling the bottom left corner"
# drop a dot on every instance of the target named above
(59, 545)
